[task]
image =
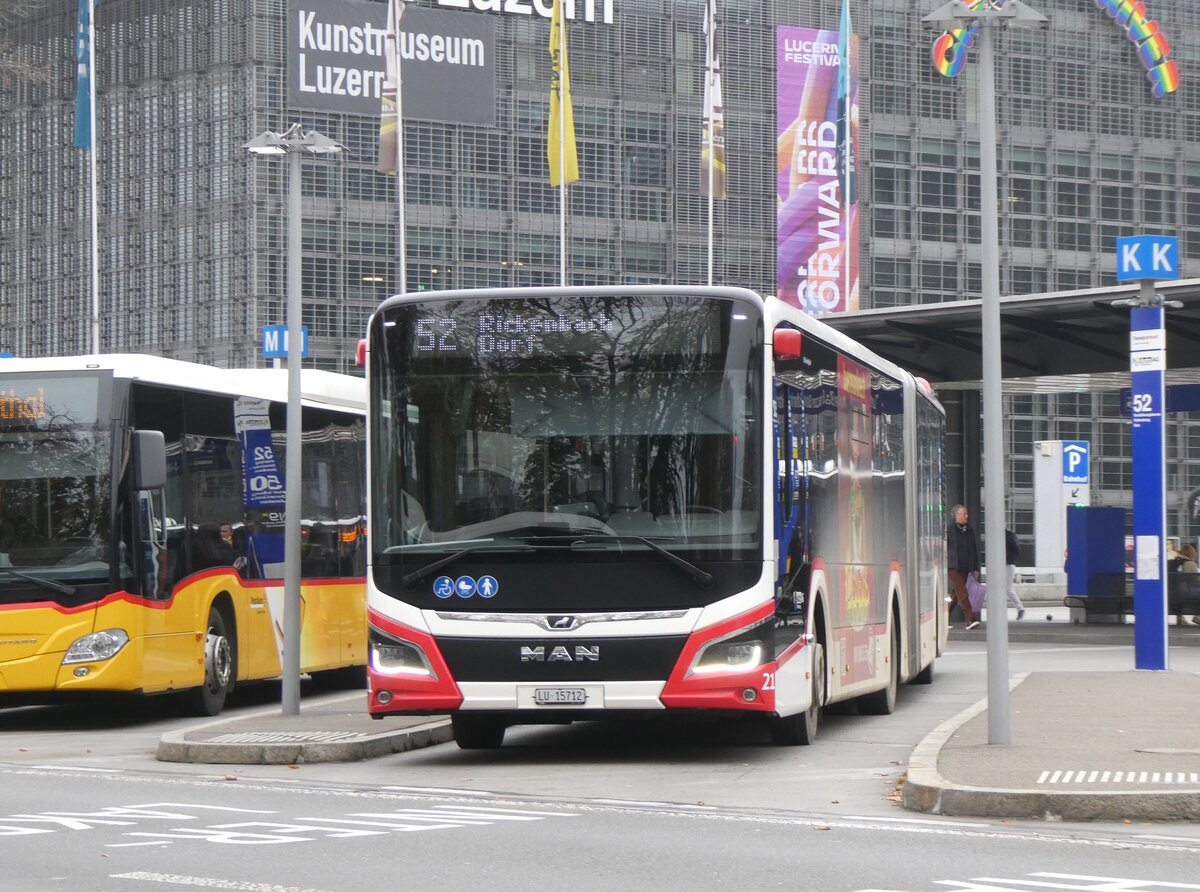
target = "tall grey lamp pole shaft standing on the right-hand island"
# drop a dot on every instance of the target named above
(999, 727)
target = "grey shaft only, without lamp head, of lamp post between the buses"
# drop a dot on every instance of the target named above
(293, 471)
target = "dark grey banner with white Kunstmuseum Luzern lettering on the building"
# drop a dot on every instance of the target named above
(337, 62)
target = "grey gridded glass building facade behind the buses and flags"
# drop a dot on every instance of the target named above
(193, 229)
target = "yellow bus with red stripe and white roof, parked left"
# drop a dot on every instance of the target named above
(142, 526)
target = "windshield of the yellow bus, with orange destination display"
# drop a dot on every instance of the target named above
(55, 482)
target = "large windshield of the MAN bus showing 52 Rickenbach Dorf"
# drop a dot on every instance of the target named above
(596, 422)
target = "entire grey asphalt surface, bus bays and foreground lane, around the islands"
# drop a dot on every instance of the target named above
(662, 805)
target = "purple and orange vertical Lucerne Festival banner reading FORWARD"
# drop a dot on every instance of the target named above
(817, 127)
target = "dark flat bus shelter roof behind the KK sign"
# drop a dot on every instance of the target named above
(1054, 343)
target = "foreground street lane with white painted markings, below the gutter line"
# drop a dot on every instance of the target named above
(125, 831)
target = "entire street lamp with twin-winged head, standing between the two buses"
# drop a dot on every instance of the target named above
(293, 142)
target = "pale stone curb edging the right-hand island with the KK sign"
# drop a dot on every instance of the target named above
(926, 791)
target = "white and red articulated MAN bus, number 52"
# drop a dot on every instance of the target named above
(599, 501)
